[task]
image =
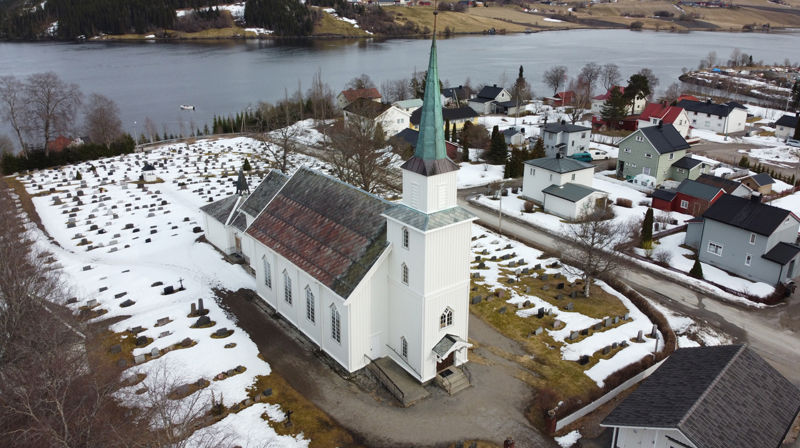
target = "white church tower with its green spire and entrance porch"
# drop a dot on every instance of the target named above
(428, 307)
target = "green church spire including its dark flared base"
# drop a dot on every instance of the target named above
(430, 155)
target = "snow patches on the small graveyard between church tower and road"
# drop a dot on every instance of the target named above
(498, 246)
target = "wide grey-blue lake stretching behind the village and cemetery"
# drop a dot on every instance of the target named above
(153, 79)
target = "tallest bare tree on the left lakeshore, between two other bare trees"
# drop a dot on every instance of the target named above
(53, 106)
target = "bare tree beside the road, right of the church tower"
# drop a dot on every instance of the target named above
(591, 252)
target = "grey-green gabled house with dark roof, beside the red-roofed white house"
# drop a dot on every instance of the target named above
(651, 151)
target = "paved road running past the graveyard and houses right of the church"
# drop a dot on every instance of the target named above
(773, 333)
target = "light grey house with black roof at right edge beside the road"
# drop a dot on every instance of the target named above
(747, 238)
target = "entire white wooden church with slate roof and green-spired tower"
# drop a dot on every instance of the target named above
(361, 277)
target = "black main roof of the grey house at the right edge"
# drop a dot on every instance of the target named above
(747, 214)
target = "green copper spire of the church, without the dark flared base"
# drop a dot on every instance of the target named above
(430, 144)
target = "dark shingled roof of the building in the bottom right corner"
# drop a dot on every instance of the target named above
(718, 397)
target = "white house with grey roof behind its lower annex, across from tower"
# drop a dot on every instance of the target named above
(546, 171)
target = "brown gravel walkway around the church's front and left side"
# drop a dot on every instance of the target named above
(492, 409)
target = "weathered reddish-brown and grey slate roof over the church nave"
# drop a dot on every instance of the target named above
(327, 228)
